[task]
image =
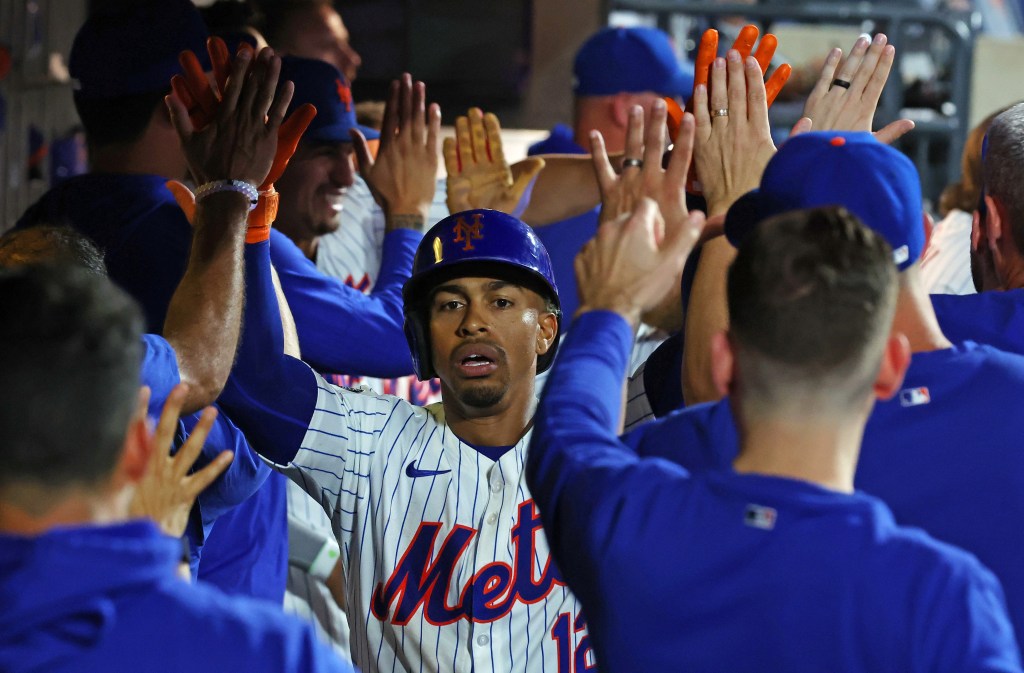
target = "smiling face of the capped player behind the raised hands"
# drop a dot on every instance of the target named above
(313, 187)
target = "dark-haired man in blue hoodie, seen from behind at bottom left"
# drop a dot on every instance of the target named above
(84, 587)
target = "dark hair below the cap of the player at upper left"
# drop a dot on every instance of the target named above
(118, 120)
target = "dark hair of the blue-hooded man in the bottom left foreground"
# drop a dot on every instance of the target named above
(71, 352)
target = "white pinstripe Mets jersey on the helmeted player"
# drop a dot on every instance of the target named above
(447, 566)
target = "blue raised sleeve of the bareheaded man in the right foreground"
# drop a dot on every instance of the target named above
(596, 497)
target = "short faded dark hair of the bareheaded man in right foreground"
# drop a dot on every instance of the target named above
(812, 300)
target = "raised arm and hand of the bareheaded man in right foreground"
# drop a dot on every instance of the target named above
(583, 478)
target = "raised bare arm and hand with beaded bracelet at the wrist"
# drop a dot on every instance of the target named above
(203, 319)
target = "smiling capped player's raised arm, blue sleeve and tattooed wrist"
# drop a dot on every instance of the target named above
(340, 329)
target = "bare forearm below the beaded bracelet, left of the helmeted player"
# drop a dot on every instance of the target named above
(204, 315)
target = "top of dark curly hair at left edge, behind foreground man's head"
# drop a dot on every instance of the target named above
(48, 243)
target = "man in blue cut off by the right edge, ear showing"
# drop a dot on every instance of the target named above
(994, 316)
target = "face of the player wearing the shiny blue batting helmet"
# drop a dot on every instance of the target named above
(486, 335)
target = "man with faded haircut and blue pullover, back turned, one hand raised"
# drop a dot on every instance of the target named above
(779, 564)
